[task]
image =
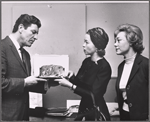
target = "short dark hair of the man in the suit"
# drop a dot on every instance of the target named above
(26, 20)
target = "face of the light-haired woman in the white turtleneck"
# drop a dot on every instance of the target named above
(121, 44)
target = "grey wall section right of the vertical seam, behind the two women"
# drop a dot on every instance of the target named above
(110, 15)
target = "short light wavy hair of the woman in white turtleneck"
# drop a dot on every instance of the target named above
(133, 34)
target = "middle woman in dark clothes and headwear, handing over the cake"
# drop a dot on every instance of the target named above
(93, 75)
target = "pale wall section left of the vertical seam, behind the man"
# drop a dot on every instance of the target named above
(62, 31)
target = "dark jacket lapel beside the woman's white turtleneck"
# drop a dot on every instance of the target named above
(135, 67)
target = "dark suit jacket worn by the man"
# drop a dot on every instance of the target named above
(15, 97)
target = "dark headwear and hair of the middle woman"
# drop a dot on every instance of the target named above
(99, 38)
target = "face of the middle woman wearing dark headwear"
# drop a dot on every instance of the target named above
(88, 46)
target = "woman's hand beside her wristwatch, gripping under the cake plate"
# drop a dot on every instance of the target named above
(64, 82)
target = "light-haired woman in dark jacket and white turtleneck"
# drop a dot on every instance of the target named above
(132, 81)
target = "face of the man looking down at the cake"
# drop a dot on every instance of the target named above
(28, 35)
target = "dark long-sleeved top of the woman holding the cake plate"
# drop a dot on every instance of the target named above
(93, 77)
